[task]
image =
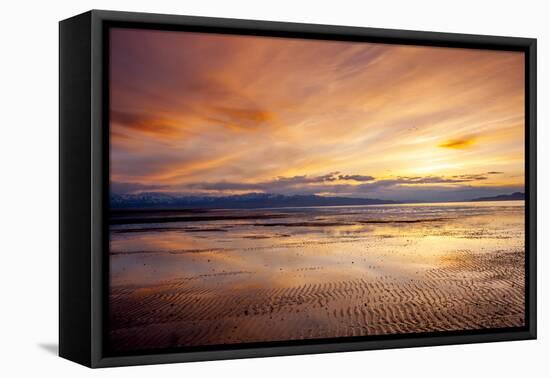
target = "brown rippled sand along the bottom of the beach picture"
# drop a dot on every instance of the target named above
(468, 291)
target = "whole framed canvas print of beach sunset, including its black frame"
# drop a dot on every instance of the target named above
(233, 188)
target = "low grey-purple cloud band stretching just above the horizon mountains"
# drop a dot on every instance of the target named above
(415, 188)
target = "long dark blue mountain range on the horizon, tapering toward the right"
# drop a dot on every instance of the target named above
(245, 201)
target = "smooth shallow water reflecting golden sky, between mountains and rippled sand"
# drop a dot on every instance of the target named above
(339, 241)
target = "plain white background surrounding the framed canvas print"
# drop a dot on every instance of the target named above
(29, 186)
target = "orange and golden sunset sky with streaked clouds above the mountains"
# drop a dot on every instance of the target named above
(217, 115)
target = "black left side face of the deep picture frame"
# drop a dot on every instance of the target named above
(75, 275)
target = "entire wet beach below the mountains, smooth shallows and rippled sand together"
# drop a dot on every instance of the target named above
(239, 276)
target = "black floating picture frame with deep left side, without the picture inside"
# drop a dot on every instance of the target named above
(84, 184)
